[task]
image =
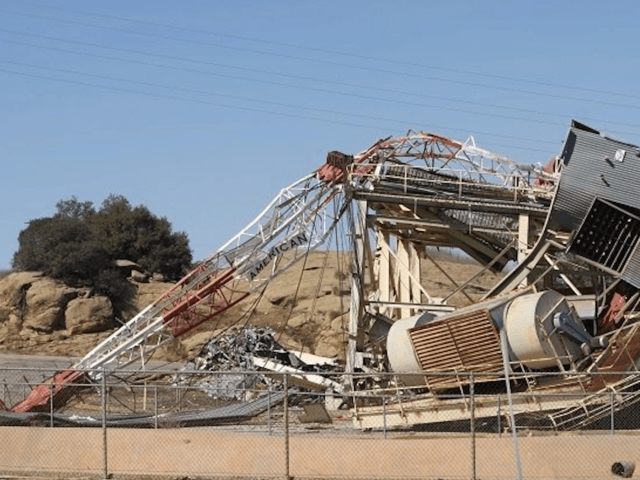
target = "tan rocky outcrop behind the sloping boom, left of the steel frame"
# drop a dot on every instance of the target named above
(39, 315)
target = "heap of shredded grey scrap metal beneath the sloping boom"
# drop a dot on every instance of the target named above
(242, 362)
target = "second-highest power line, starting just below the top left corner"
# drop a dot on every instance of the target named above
(328, 62)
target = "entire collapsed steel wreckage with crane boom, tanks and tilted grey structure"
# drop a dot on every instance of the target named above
(564, 312)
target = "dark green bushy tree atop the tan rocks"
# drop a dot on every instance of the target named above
(79, 245)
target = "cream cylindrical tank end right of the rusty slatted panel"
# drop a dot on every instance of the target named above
(529, 326)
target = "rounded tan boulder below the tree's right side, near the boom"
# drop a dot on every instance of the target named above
(89, 315)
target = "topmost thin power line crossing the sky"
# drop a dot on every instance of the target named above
(336, 52)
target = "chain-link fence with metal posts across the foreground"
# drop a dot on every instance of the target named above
(170, 424)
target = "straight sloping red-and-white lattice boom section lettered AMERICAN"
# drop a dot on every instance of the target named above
(300, 218)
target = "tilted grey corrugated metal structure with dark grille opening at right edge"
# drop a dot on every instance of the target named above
(598, 199)
